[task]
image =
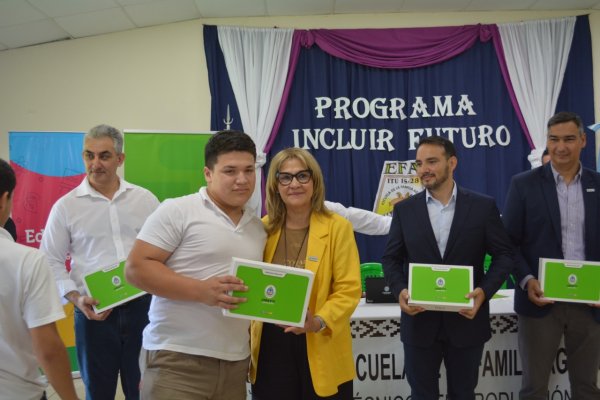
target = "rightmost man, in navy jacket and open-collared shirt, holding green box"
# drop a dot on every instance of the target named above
(553, 212)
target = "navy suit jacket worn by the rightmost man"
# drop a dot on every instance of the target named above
(532, 218)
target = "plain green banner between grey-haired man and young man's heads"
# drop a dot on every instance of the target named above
(168, 163)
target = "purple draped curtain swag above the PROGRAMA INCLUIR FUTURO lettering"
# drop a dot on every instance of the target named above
(394, 48)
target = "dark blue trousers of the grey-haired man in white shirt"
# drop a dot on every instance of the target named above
(111, 347)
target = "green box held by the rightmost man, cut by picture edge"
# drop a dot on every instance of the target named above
(570, 280)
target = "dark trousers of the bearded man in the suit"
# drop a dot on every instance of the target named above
(422, 365)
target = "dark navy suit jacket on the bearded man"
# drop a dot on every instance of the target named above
(475, 230)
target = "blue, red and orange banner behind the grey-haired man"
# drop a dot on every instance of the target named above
(48, 165)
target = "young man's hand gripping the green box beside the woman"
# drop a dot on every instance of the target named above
(215, 291)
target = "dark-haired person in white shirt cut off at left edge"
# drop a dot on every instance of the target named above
(29, 307)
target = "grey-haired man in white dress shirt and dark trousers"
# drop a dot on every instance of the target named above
(96, 223)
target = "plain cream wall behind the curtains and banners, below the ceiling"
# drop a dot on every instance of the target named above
(156, 78)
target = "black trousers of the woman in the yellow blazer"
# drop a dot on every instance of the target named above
(283, 371)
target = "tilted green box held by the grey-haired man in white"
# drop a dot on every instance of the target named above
(109, 287)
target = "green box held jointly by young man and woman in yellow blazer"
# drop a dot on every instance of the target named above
(276, 294)
